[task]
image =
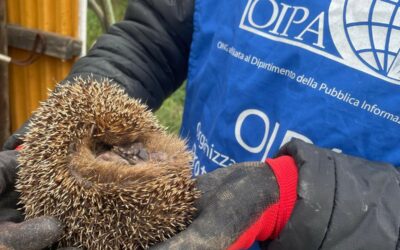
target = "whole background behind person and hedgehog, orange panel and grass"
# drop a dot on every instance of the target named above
(39, 42)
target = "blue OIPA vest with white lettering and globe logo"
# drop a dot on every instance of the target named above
(264, 71)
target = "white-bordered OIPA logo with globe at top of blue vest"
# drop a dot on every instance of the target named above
(366, 33)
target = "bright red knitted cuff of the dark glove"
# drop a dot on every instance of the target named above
(274, 218)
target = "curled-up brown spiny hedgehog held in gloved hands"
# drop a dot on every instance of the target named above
(100, 162)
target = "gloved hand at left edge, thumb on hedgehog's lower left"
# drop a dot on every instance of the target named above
(14, 234)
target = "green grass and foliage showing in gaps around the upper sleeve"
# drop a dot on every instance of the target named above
(170, 114)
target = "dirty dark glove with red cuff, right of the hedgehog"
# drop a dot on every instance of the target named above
(239, 205)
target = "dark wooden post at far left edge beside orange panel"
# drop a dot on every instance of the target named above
(4, 93)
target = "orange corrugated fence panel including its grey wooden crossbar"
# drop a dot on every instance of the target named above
(32, 74)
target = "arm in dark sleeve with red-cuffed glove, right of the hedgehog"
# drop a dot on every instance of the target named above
(343, 202)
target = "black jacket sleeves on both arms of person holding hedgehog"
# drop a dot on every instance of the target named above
(344, 202)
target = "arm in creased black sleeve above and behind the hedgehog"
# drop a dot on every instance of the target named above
(146, 53)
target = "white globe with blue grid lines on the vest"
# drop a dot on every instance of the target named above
(372, 29)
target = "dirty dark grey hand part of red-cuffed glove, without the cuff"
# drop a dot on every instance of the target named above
(232, 200)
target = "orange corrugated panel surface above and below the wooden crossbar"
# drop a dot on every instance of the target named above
(29, 85)
